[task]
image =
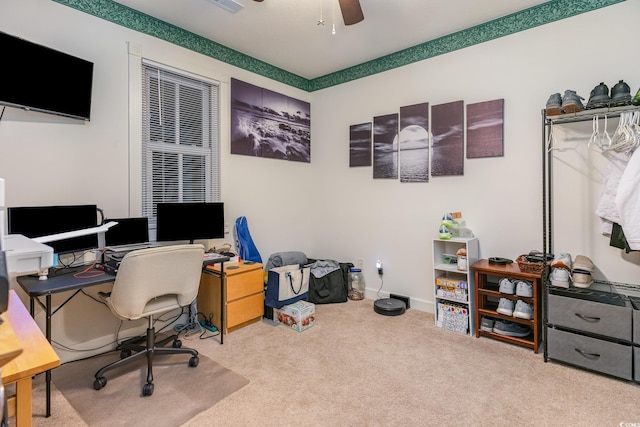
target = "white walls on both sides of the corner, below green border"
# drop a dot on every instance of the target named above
(325, 208)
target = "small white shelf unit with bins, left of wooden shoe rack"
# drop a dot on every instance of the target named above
(454, 305)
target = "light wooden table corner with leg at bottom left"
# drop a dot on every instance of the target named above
(37, 356)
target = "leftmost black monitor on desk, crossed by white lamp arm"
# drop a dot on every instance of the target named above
(39, 221)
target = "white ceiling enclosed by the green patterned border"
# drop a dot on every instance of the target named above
(286, 34)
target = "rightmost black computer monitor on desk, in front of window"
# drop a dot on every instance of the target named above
(189, 221)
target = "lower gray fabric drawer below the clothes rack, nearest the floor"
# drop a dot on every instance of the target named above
(590, 353)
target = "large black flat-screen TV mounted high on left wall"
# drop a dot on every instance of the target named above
(35, 77)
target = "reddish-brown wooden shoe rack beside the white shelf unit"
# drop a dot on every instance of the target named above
(487, 295)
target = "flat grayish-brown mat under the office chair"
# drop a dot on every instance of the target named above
(186, 391)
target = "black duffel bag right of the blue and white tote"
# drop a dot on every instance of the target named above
(328, 281)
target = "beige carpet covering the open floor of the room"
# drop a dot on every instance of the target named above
(358, 368)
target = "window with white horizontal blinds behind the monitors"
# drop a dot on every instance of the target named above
(180, 142)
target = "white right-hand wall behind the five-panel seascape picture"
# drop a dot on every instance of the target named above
(501, 198)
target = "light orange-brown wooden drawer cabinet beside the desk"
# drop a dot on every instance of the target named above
(244, 294)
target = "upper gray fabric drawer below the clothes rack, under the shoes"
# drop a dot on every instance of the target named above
(592, 317)
